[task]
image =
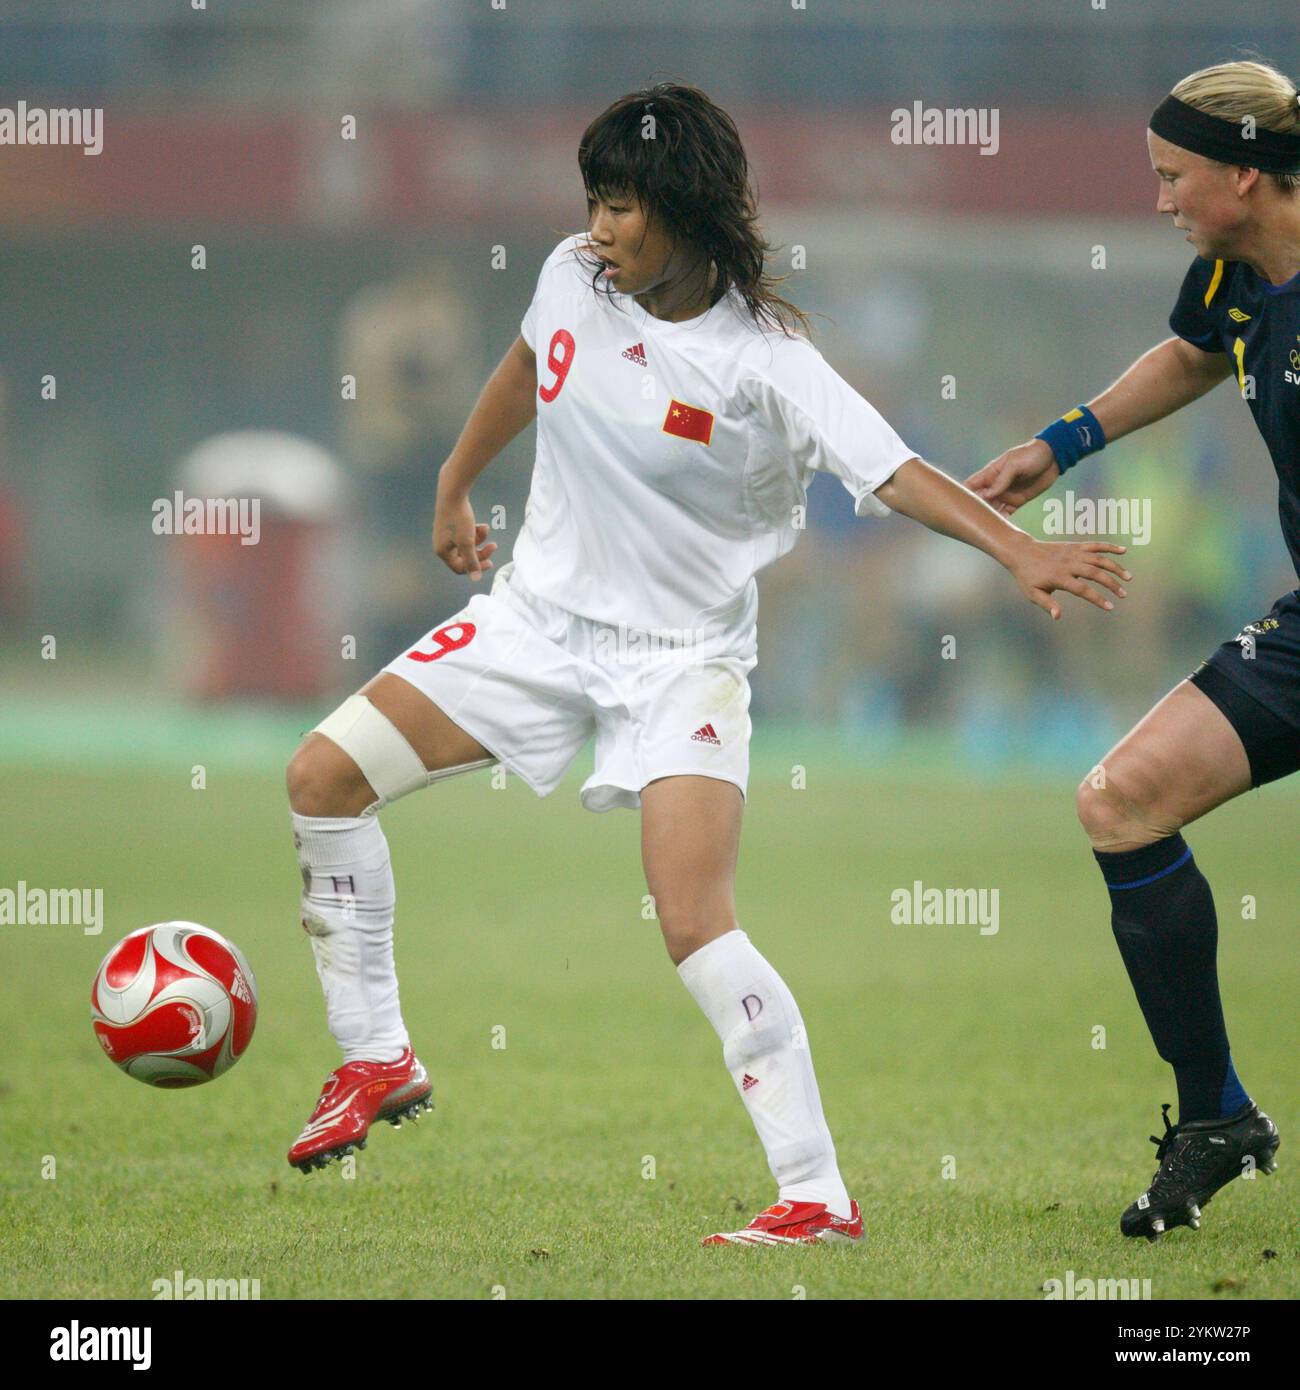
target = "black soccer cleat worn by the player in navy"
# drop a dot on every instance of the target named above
(1196, 1160)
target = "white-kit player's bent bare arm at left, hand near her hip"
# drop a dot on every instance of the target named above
(507, 404)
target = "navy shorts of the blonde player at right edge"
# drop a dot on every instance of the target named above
(1255, 680)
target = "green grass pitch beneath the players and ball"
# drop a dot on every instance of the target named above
(587, 1157)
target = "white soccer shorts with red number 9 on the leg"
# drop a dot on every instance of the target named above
(533, 683)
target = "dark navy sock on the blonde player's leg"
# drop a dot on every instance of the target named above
(1164, 924)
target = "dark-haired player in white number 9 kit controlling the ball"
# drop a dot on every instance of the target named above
(681, 422)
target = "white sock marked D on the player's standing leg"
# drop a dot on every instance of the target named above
(767, 1053)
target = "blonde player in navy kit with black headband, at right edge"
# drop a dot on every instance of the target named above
(1227, 149)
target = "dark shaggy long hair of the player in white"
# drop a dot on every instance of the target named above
(689, 169)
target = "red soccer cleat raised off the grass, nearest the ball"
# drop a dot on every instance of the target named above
(355, 1097)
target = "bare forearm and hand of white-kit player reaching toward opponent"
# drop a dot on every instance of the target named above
(1041, 568)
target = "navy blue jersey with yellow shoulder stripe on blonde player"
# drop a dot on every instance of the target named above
(1224, 306)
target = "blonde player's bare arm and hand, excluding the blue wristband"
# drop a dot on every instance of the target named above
(1164, 380)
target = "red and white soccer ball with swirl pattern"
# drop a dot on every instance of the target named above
(174, 1004)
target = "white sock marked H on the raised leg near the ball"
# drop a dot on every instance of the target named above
(347, 910)
